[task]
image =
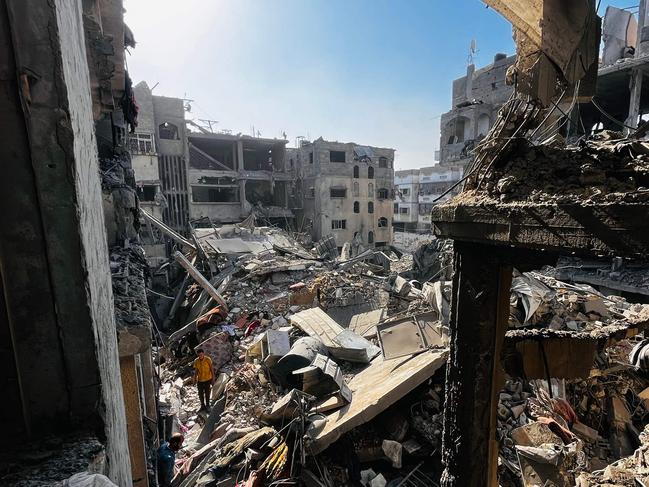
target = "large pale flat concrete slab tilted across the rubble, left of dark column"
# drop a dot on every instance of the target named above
(375, 389)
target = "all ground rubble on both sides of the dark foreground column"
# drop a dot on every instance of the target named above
(308, 352)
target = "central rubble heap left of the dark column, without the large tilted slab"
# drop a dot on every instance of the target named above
(283, 361)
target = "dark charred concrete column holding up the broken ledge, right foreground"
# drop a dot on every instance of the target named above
(474, 377)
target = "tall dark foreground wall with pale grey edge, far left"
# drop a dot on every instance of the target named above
(55, 263)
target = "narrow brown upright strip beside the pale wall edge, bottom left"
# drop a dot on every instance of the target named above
(131, 391)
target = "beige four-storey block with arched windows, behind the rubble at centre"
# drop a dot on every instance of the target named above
(346, 191)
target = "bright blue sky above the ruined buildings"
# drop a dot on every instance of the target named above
(375, 72)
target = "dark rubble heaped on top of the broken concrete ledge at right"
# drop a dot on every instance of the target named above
(605, 168)
